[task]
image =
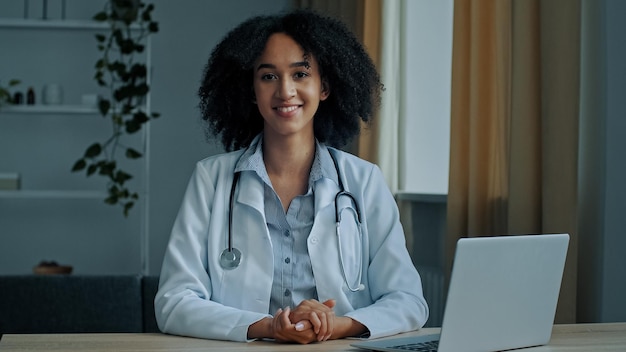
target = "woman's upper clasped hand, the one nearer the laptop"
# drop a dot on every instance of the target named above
(312, 315)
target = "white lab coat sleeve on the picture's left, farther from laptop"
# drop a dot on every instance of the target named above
(183, 304)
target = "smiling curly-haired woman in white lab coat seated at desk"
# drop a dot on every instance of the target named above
(256, 251)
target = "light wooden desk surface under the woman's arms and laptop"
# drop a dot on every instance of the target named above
(578, 337)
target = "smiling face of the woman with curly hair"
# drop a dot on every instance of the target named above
(288, 87)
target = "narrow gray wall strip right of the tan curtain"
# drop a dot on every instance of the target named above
(602, 284)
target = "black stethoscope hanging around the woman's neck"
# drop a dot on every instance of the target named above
(231, 256)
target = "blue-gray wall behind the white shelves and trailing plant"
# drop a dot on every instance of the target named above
(87, 234)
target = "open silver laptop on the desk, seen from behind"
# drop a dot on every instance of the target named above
(503, 294)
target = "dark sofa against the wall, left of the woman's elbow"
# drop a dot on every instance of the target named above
(75, 304)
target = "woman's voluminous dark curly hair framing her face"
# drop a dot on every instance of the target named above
(226, 91)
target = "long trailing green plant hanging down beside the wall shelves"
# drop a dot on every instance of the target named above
(125, 78)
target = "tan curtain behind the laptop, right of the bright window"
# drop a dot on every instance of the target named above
(514, 124)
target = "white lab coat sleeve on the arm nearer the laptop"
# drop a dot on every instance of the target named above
(393, 281)
